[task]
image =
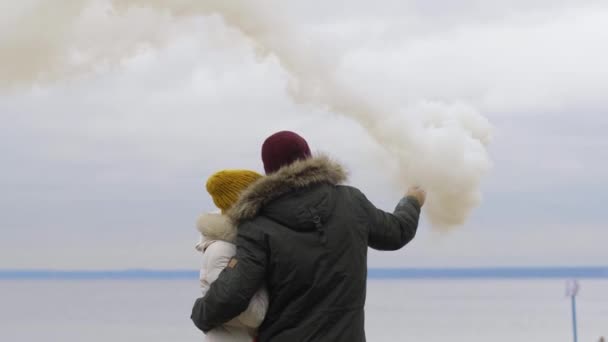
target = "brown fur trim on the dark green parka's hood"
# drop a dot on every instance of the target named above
(298, 175)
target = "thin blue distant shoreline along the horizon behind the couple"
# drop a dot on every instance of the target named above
(373, 273)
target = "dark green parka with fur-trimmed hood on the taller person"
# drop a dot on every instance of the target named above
(305, 237)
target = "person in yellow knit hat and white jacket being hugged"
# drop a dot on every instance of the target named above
(217, 245)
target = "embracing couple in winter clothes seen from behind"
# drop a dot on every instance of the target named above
(286, 260)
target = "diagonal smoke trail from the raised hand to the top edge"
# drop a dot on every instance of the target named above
(440, 146)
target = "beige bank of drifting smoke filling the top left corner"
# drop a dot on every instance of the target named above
(44, 41)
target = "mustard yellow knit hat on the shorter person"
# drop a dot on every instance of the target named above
(226, 186)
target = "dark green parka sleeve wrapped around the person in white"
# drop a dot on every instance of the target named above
(231, 293)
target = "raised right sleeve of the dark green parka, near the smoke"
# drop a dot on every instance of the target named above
(389, 232)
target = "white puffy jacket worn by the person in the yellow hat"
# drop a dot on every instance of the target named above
(216, 244)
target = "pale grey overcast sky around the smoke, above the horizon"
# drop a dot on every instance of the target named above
(106, 168)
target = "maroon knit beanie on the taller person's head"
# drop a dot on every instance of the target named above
(283, 148)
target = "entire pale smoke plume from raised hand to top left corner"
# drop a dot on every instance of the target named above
(441, 147)
